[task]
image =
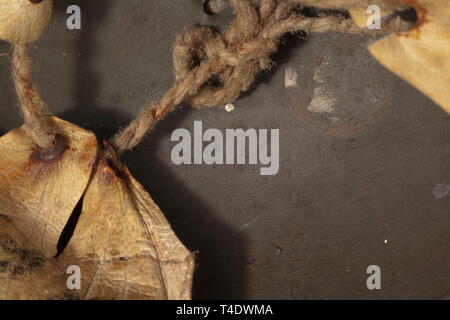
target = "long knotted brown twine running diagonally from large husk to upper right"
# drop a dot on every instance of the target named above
(235, 58)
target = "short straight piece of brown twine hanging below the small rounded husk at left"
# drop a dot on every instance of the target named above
(32, 107)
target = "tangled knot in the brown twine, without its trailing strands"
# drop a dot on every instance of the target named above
(237, 64)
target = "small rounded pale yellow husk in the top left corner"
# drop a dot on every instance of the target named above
(23, 21)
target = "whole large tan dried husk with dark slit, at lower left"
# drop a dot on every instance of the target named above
(122, 243)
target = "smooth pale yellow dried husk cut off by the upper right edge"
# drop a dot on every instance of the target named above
(421, 57)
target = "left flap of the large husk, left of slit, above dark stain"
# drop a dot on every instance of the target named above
(38, 195)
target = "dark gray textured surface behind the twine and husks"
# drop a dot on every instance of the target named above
(310, 231)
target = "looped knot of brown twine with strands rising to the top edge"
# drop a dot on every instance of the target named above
(241, 48)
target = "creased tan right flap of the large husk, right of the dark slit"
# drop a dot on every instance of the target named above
(124, 245)
